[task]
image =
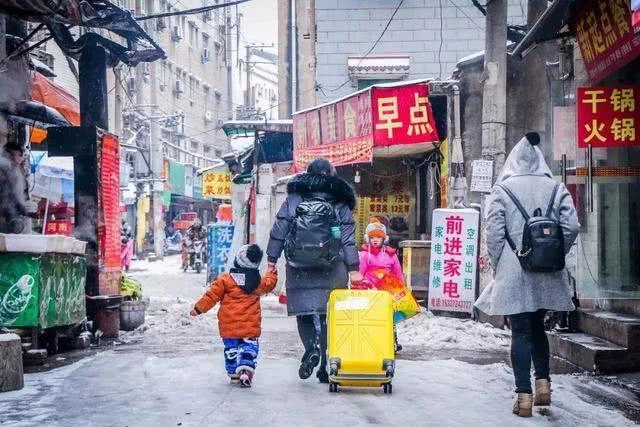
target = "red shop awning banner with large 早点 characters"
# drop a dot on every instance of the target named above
(385, 120)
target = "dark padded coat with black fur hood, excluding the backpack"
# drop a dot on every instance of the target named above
(308, 290)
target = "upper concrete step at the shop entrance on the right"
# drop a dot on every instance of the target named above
(621, 329)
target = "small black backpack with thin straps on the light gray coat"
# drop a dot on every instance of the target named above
(542, 248)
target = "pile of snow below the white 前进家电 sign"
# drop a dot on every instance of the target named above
(437, 332)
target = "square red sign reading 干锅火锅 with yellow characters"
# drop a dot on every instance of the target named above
(608, 116)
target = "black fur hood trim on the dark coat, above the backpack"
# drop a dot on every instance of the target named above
(306, 184)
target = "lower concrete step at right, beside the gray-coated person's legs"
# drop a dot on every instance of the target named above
(593, 353)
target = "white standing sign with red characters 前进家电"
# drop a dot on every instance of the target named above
(454, 260)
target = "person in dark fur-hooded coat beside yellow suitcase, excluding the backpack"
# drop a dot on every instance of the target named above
(308, 289)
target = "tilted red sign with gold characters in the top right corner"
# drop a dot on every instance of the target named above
(606, 37)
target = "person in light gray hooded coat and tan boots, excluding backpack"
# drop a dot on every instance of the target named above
(522, 295)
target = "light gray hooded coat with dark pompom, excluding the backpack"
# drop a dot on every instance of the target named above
(513, 290)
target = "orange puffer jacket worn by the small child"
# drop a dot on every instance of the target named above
(240, 315)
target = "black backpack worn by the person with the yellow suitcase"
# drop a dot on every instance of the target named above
(310, 243)
